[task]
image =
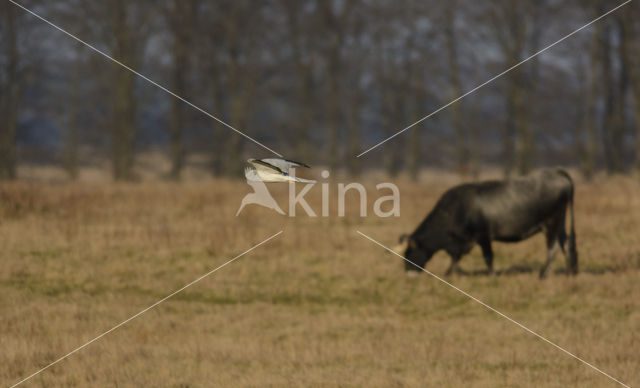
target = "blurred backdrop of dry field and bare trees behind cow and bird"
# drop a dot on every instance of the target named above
(320, 81)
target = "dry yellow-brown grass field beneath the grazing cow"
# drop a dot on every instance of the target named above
(317, 306)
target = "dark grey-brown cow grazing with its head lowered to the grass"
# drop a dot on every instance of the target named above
(509, 211)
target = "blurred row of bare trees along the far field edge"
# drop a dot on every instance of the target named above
(321, 81)
